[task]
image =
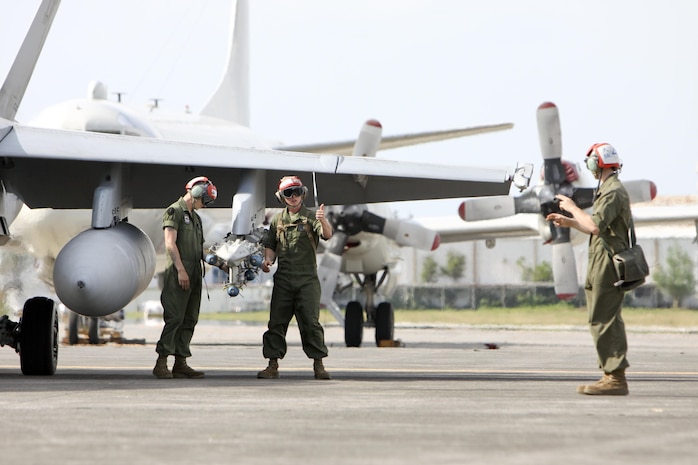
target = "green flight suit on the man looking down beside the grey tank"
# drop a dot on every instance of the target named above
(181, 307)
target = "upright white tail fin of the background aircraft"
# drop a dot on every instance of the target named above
(231, 100)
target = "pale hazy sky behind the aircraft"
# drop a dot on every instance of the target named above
(623, 72)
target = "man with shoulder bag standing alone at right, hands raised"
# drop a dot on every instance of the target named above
(608, 228)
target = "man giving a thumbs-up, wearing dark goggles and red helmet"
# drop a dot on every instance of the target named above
(292, 238)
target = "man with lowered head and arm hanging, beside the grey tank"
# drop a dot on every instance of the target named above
(181, 291)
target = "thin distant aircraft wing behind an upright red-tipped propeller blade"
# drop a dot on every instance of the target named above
(393, 142)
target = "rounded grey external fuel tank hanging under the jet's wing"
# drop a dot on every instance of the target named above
(101, 270)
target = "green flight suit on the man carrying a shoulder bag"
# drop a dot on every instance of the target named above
(604, 300)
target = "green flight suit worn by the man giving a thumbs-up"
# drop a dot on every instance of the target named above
(296, 285)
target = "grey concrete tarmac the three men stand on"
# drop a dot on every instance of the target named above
(450, 395)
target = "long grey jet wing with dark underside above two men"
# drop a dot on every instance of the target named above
(68, 166)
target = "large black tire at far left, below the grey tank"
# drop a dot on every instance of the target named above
(38, 338)
